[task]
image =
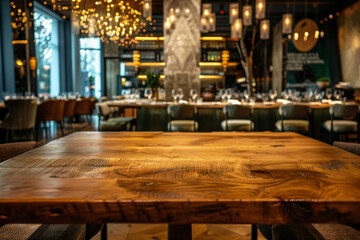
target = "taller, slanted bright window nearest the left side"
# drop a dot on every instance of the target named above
(47, 54)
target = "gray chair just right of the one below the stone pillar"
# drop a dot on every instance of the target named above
(237, 118)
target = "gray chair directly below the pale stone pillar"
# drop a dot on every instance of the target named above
(182, 118)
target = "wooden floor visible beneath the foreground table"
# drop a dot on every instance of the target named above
(159, 232)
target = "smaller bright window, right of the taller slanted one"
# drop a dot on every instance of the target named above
(90, 65)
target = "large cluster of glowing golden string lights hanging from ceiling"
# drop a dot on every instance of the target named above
(111, 20)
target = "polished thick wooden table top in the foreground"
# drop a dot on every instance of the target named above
(154, 177)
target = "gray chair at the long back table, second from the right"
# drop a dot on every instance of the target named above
(294, 118)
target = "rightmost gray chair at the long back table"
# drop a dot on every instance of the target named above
(343, 120)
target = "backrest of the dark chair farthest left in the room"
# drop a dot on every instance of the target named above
(22, 114)
